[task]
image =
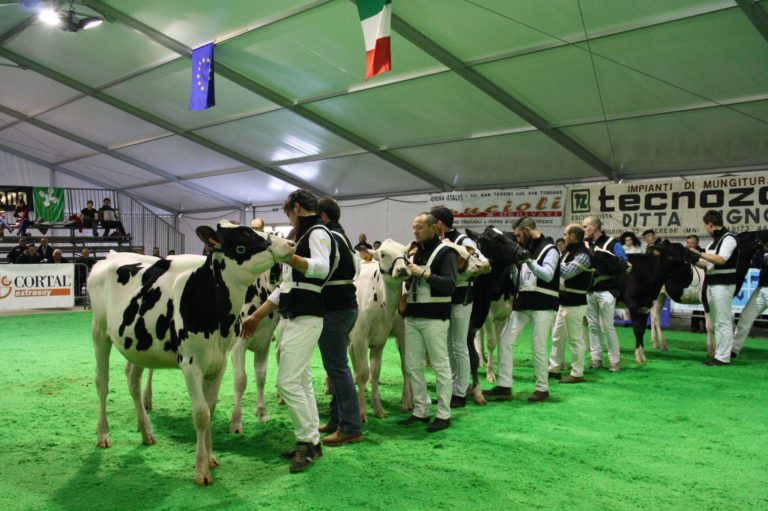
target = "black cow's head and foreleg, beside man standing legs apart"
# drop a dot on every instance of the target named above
(502, 250)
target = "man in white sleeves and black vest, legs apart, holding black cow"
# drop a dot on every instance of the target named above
(538, 281)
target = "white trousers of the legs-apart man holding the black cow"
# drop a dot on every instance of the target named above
(542, 326)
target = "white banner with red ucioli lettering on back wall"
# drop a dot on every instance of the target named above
(503, 208)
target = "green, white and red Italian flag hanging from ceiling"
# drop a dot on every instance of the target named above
(376, 17)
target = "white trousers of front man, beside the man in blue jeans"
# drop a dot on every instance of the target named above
(297, 339)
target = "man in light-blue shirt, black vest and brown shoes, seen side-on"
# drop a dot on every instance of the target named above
(575, 277)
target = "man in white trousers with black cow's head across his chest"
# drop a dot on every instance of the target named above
(601, 298)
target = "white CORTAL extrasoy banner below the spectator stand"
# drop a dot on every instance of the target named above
(36, 286)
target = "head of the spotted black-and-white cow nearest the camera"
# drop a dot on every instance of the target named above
(246, 247)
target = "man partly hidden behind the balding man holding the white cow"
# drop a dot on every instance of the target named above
(461, 310)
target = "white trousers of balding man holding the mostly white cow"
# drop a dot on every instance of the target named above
(422, 336)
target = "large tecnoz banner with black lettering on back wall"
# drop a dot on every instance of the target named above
(673, 208)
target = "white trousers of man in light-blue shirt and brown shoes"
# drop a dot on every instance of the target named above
(569, 326)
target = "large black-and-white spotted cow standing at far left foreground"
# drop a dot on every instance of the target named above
(178, 312)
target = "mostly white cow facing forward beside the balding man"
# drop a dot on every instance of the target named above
(379, 287)
